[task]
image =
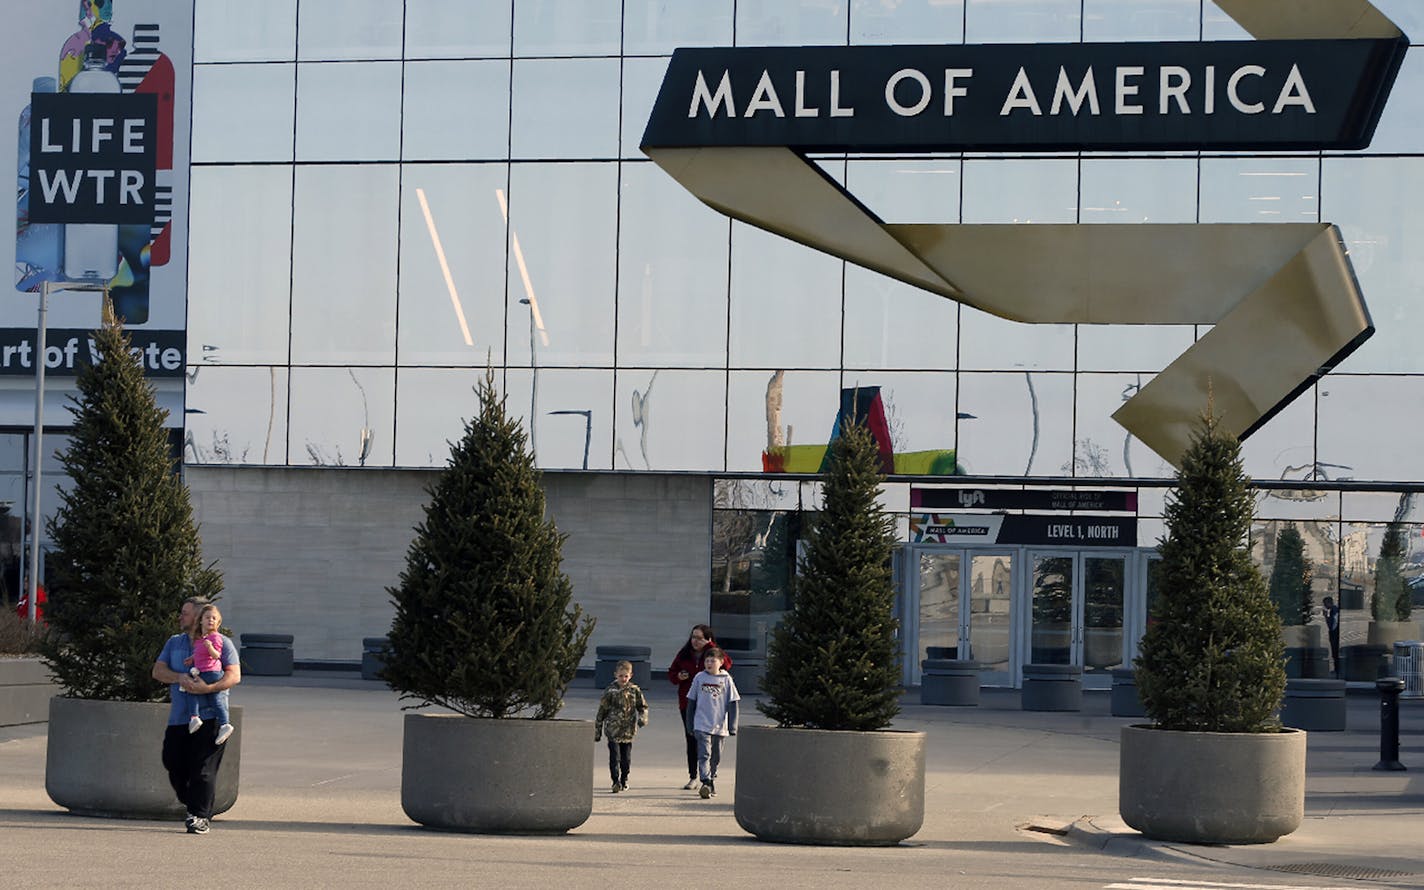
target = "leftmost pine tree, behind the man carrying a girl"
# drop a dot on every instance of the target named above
(126, 549)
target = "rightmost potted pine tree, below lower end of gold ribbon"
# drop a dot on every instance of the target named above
(1213, 659)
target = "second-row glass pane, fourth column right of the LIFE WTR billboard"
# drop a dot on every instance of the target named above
(566, 109)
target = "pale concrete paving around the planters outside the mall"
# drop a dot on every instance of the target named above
(1012, 798)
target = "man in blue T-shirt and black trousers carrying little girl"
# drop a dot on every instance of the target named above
(193, 758)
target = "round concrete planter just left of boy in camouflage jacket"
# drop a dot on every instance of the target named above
(509, 777)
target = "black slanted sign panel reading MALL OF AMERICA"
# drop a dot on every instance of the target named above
(1251, 95)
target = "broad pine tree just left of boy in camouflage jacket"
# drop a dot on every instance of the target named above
(485, 623)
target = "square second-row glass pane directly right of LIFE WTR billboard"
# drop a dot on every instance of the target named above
(243, 113)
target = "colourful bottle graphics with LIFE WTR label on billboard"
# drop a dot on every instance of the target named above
(95, 199)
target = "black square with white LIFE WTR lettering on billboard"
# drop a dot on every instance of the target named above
(93, 157)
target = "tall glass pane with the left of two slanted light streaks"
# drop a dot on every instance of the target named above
(461, 230)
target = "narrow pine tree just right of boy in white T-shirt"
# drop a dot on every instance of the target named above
(832, 663)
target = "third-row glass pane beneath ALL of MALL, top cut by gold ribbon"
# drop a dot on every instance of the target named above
(785, 303)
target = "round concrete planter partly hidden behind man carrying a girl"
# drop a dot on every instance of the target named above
(105, 760)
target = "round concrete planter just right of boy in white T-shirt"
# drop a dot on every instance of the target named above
(829, 788)
